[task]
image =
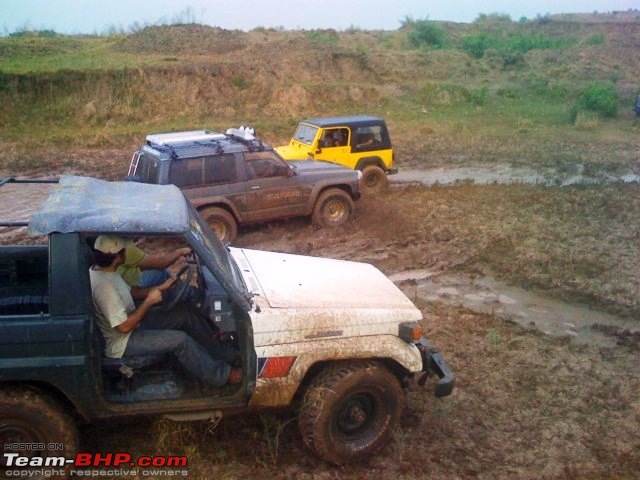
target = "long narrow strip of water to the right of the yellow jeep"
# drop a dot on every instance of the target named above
(507, 175)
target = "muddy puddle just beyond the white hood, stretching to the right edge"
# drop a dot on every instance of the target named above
(532, 311)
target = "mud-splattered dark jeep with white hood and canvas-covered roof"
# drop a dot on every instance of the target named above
(336, 339)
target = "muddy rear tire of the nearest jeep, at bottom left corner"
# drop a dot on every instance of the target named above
(30, 417)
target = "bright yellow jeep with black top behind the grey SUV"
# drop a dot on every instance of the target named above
(359, 142)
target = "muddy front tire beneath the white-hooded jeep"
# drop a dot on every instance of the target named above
(350, 410)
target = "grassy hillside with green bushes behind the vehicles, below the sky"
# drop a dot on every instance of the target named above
(449, 88)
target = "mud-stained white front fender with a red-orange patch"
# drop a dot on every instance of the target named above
(281, 368)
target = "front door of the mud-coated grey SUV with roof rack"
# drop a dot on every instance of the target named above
(273, 189)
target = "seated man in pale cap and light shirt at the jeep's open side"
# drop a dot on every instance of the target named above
(129, 330)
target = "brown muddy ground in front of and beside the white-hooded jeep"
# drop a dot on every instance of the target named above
(527, 405)
